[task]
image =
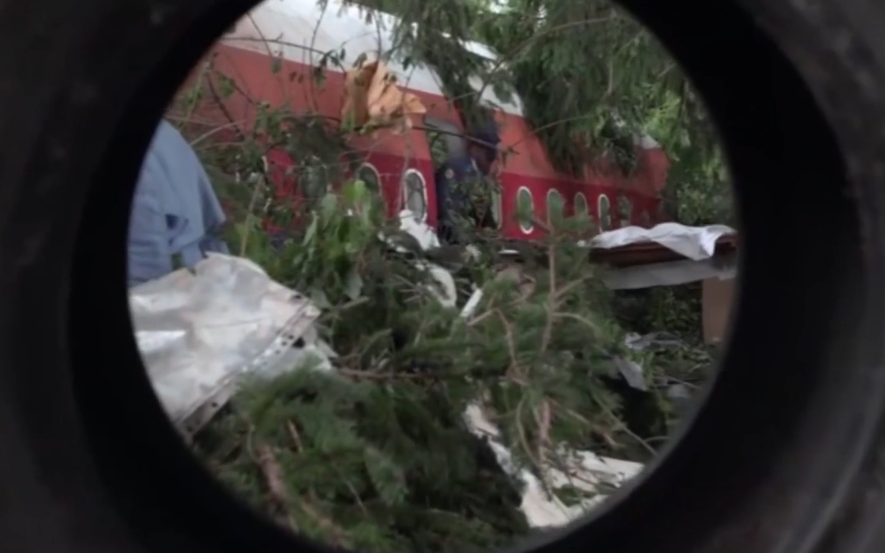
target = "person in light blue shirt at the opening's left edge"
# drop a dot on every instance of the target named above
(175, 212)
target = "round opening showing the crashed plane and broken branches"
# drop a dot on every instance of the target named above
(371, 430)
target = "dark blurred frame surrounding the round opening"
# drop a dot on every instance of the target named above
(783, 456)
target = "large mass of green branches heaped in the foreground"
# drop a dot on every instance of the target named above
(376, 455)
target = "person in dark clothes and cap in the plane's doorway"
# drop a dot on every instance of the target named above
(454, 180)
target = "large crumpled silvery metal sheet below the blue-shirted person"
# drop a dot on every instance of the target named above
(200, 331)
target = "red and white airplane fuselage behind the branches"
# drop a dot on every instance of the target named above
(280, 38)
